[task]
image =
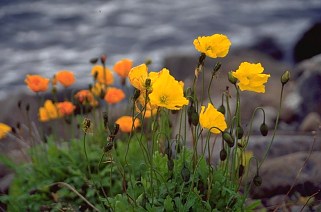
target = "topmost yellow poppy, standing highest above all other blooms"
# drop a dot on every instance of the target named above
(213, 46)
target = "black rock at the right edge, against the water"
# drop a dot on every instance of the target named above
(309, 44)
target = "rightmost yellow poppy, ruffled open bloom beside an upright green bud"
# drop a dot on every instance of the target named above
(250, 77)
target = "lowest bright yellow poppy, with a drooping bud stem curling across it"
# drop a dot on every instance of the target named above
(210, 118)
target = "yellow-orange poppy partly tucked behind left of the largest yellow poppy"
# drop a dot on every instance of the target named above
(138, 76)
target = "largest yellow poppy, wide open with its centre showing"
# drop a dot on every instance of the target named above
(167, 92)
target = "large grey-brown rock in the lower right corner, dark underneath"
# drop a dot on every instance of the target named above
(279, 174)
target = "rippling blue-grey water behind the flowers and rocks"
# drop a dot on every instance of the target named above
(46, 36)
